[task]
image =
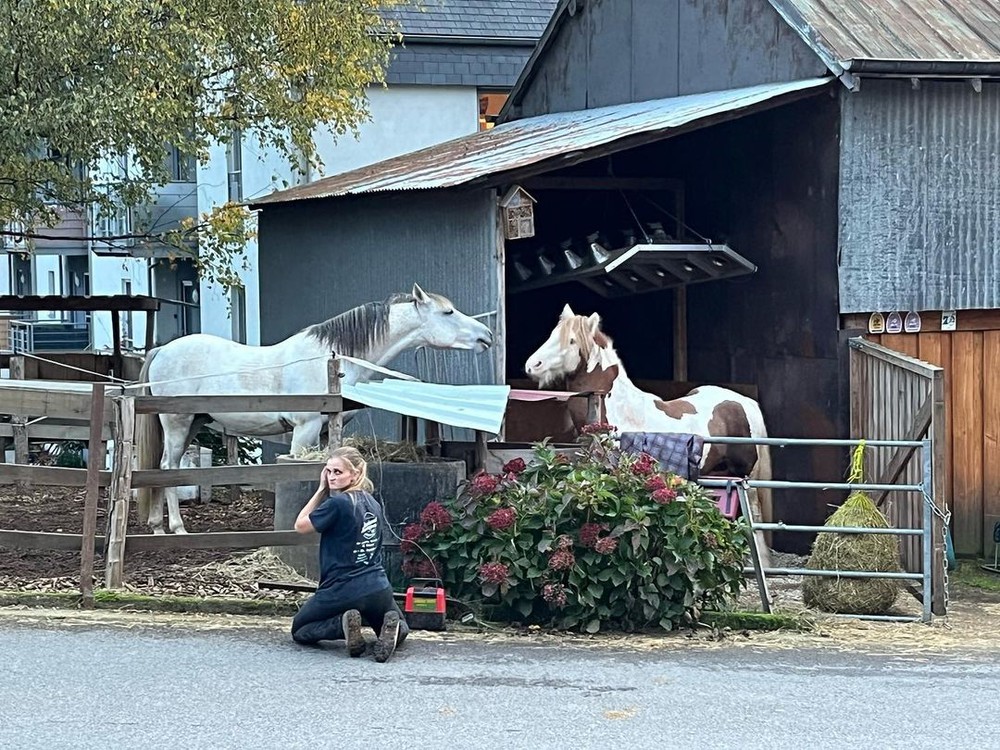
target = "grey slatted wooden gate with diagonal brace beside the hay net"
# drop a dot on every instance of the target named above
(897, 397)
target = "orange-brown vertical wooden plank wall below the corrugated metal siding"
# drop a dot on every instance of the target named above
(970, 357)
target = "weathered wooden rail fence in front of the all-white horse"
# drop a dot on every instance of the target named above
(112, 413)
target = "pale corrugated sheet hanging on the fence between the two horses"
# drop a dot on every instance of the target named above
(473, 407)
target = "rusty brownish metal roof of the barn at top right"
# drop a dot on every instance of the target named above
(912, 30)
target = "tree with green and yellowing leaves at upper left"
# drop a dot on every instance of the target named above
(93, 91)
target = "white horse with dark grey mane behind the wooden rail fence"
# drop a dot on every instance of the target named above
(200, 364)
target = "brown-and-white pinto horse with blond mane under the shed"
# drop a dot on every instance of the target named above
(578, 351)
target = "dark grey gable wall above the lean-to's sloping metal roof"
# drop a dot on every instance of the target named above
(615, 51)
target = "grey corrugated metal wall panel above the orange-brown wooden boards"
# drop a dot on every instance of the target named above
(920, 198)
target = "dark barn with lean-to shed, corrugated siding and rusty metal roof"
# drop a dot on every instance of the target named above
(785, 168)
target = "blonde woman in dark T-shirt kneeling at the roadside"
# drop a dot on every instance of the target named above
(353, 587)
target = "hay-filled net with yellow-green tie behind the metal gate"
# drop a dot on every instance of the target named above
(834, 551)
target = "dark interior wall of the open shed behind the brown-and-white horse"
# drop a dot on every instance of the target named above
(767, 185)
